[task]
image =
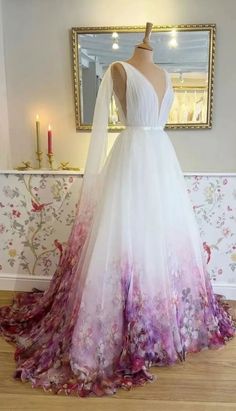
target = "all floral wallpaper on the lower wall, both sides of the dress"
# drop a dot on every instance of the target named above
(37, 213)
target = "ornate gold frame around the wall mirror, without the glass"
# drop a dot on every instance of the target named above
(109, 29)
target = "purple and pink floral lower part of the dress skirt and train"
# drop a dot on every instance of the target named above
(65, 350)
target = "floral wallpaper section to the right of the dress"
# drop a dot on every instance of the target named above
(214, 203)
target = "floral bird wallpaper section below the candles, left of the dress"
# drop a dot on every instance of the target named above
(37, 212)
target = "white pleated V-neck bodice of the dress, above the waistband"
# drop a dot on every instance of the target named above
(142, 103)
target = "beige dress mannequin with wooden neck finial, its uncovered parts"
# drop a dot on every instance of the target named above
(142, 60)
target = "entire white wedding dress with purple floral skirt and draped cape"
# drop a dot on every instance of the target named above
(131, 289)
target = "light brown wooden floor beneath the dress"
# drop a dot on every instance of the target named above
(206, 382)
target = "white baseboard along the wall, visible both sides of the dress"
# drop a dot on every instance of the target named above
(13, 282)
